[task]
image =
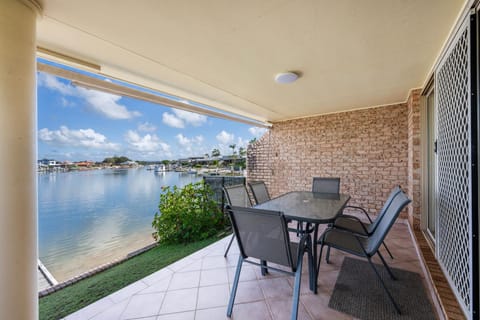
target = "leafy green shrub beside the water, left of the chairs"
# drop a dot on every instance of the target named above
(187, 214)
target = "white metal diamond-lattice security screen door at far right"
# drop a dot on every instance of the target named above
(454, 189)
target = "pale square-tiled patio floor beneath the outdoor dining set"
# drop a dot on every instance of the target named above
(198, 287)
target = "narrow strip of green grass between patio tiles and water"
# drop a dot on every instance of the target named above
(70, 299)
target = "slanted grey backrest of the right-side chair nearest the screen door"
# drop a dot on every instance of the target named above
(398, 203)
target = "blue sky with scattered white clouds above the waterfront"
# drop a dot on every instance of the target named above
(76, 124)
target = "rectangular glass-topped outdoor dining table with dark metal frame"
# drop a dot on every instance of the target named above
(311, 208)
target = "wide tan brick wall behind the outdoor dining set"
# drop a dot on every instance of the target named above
(367, 149)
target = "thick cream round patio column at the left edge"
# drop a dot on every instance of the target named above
(18, 208)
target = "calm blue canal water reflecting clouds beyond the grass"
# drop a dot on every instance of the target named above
(88, 218)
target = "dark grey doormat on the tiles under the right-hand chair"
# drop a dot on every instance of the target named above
(359, 293)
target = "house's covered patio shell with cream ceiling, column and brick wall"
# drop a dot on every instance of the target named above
(387, 93)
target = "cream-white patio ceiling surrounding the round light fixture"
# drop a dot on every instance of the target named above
(352, 54)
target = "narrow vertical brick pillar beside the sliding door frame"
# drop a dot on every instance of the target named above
(414, 173)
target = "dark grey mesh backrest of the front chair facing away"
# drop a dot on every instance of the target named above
(262, 234)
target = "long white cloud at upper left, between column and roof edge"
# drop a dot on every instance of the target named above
(100, 102)
